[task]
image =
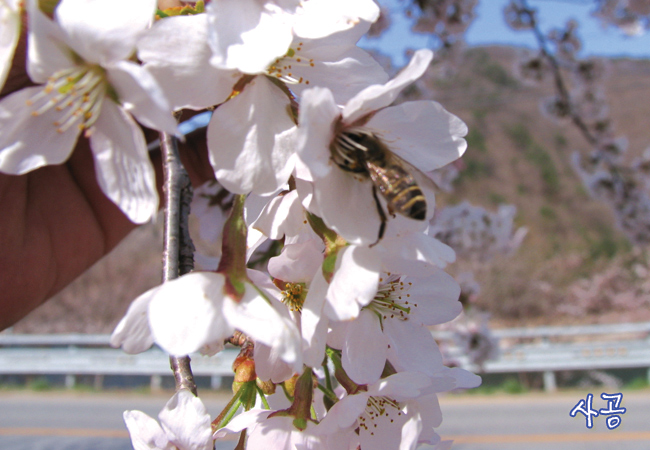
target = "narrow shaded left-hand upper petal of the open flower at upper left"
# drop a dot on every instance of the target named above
(46, 50)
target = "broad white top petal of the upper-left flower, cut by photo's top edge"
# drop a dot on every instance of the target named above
(104, 31)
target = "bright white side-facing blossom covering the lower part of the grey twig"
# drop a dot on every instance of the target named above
(209, 314)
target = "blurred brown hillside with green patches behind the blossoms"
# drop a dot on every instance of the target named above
(574, 265)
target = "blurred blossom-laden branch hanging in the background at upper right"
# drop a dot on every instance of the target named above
(582, 102)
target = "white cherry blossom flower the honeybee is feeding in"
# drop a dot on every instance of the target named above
(421, 133)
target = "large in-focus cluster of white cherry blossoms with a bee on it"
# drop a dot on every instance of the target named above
(311, 153)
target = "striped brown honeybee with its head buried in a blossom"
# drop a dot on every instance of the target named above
(362, 152)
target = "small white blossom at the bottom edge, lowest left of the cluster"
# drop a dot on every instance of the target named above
(184, 425)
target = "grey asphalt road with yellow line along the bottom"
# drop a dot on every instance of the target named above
(74, 421)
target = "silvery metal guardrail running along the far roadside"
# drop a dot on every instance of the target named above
(541, 349)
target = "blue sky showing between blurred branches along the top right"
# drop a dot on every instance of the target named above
(489, 28)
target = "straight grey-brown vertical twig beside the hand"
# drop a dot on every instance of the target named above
(178, 251)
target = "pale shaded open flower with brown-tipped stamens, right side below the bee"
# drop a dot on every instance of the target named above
(394, 324)
